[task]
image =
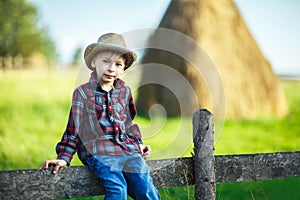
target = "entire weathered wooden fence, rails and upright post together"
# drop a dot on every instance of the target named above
(203, 170)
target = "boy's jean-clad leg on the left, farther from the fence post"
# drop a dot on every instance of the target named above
(111, 178)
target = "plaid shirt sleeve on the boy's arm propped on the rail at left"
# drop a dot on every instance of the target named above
(66, 148)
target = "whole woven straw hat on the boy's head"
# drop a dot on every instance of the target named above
(109, 41)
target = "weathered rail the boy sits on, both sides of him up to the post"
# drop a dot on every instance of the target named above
(75, 182)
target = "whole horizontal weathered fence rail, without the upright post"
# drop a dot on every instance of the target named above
(74, 182)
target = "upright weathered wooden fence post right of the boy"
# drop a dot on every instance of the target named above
(205, 188)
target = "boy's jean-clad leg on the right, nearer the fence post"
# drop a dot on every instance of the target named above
(139, 181)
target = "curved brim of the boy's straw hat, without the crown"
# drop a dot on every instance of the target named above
(93, 49)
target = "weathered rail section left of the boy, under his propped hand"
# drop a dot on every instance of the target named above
(42, 184)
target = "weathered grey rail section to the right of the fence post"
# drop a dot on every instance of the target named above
(251, 167)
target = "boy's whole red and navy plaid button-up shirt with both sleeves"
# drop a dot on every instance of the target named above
(100, 122)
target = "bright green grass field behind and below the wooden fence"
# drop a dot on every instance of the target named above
(34, 108)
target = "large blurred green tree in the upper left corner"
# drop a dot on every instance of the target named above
(20, 34)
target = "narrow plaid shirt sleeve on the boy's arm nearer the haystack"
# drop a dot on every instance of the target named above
(133, 130)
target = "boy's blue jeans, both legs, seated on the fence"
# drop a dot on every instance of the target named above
(124, 175)
